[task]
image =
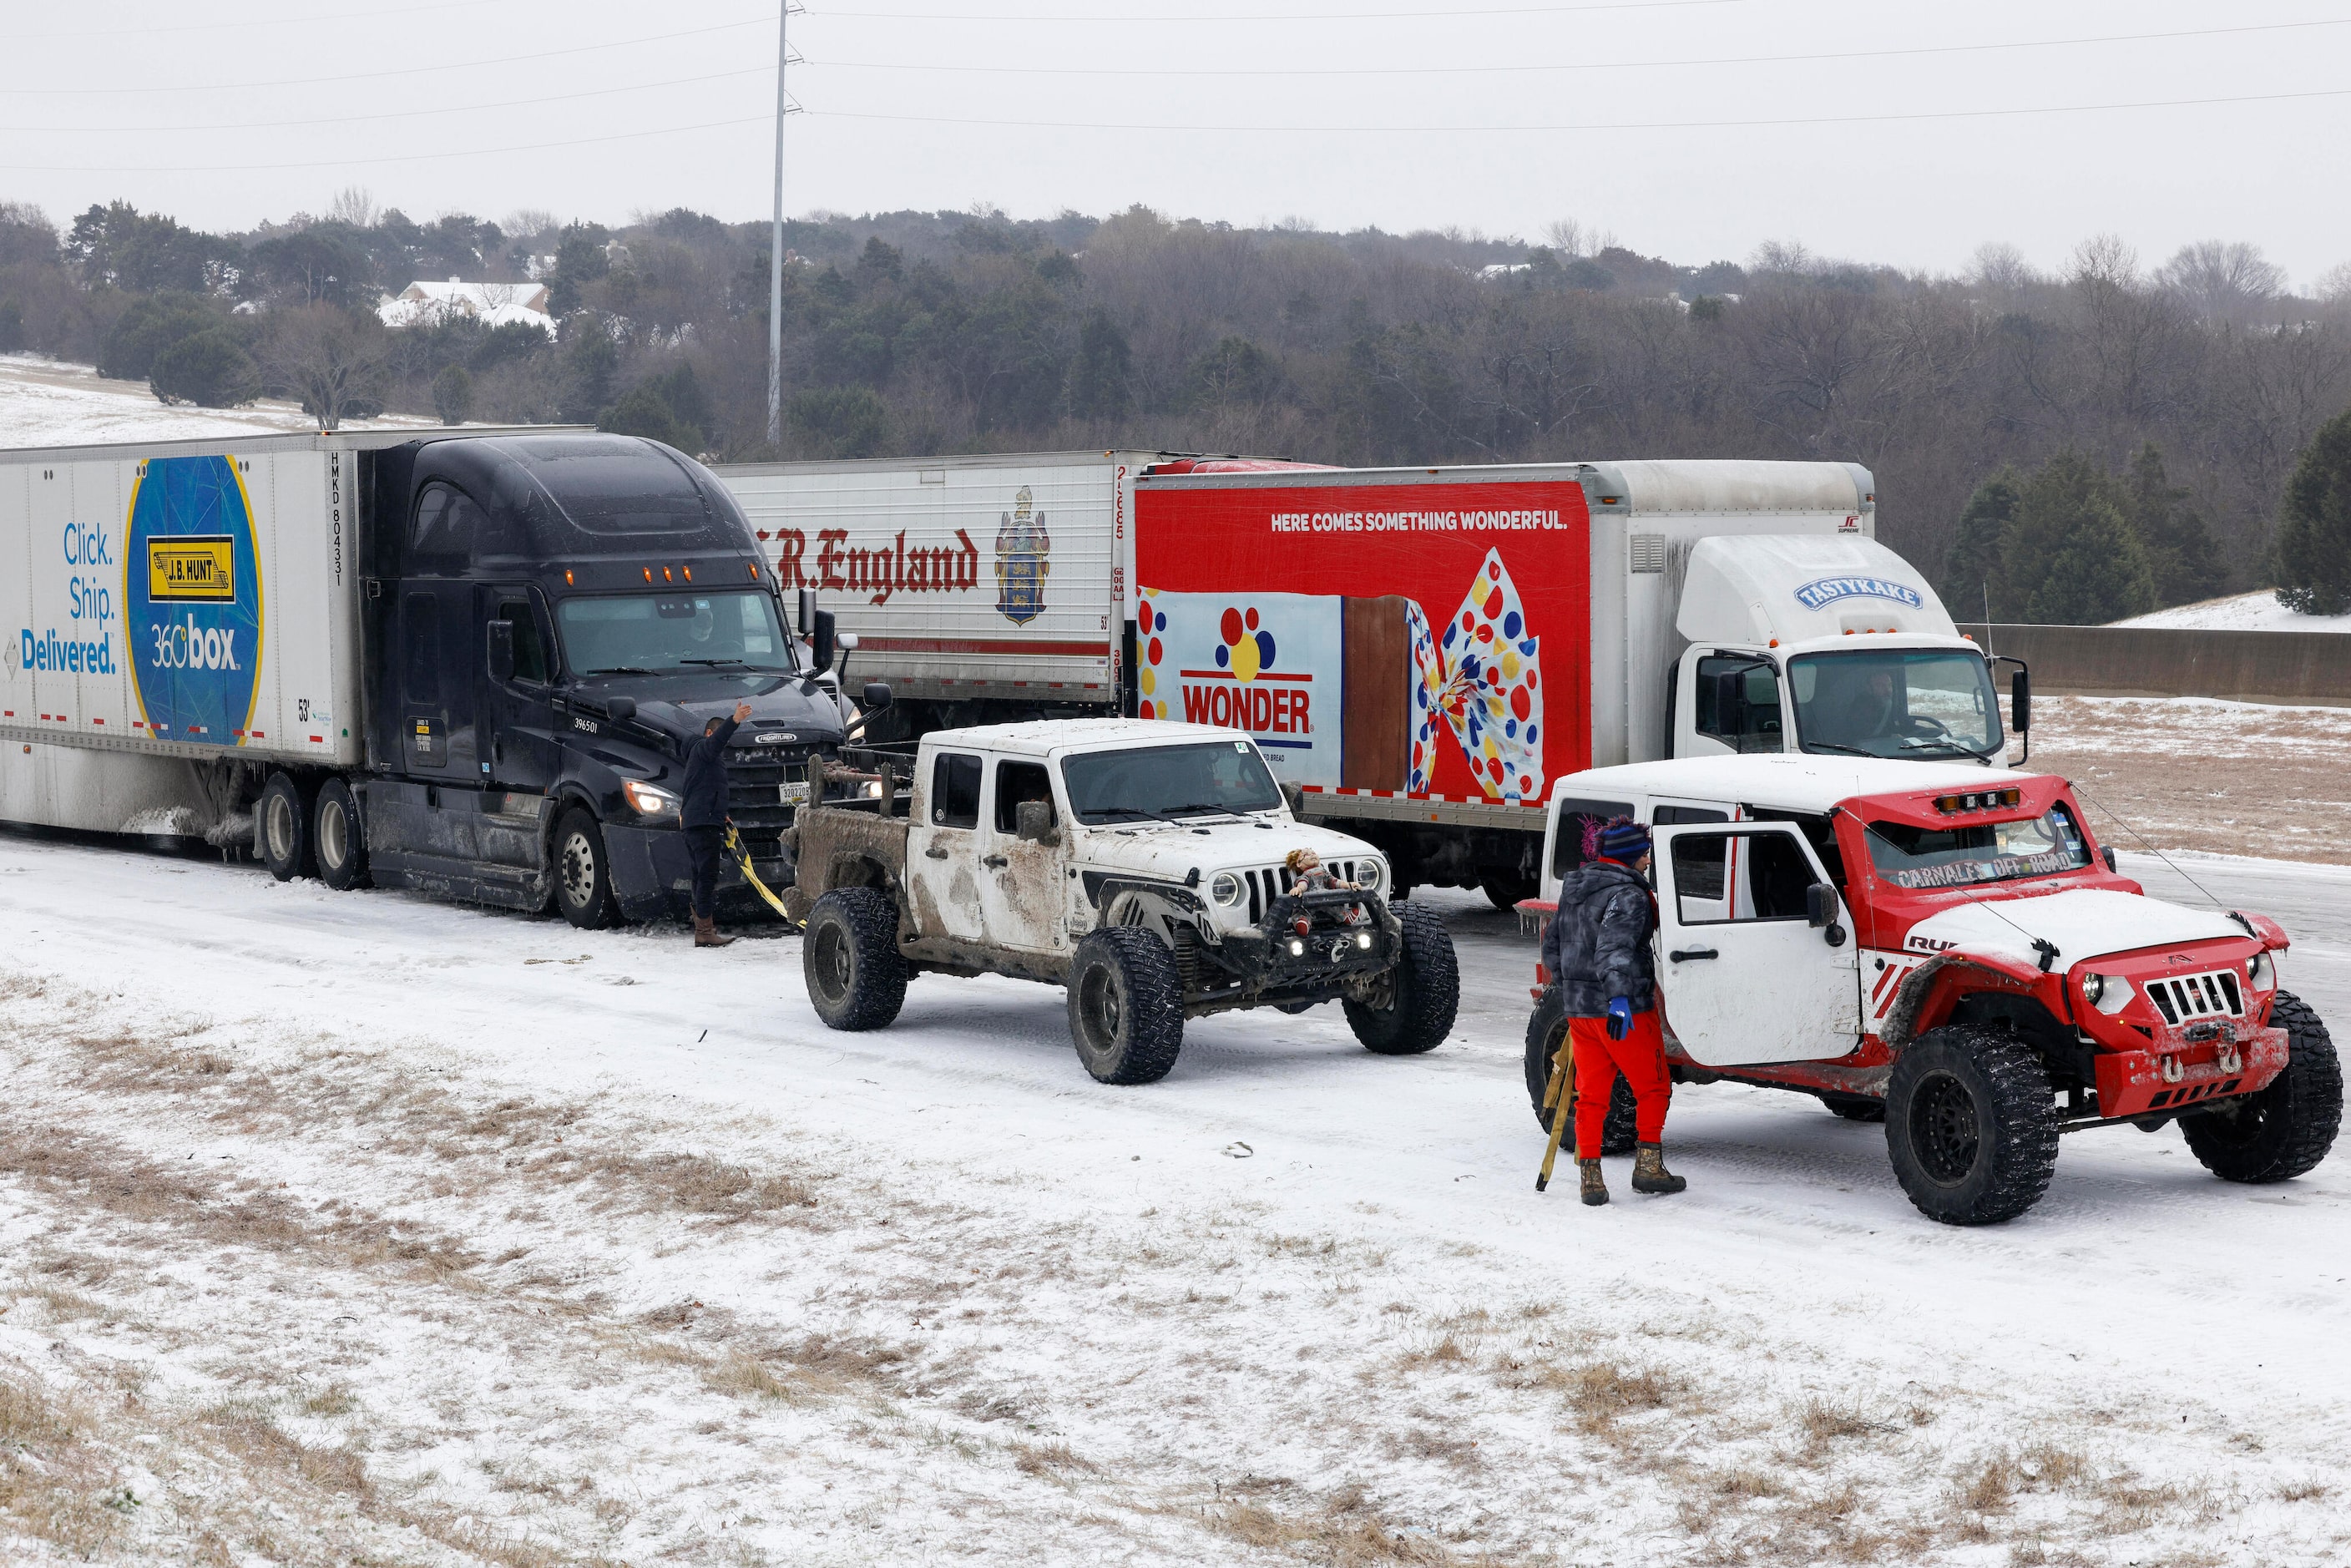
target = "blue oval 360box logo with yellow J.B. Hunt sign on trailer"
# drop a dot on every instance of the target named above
(194, 601)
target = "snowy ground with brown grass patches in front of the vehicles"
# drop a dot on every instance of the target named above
(359, 1228)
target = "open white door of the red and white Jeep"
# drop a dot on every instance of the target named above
(1757, 965)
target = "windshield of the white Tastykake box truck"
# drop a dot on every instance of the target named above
(1896, 704)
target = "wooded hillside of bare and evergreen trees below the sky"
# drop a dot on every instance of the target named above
(1971, 398)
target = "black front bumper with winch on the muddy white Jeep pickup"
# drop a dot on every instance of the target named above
(1304, 951)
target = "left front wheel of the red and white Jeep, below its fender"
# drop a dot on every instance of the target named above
(1971, 1127)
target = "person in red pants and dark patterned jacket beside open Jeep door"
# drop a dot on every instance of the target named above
(1607, 970)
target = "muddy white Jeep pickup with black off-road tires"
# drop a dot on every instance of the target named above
(1137, 864)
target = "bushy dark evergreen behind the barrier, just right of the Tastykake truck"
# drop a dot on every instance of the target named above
(2070, 554)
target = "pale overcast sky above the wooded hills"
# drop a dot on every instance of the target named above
(1684, 128)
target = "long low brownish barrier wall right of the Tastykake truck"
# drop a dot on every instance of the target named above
(2166, 662)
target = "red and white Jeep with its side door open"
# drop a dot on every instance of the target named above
(1950, 951)
